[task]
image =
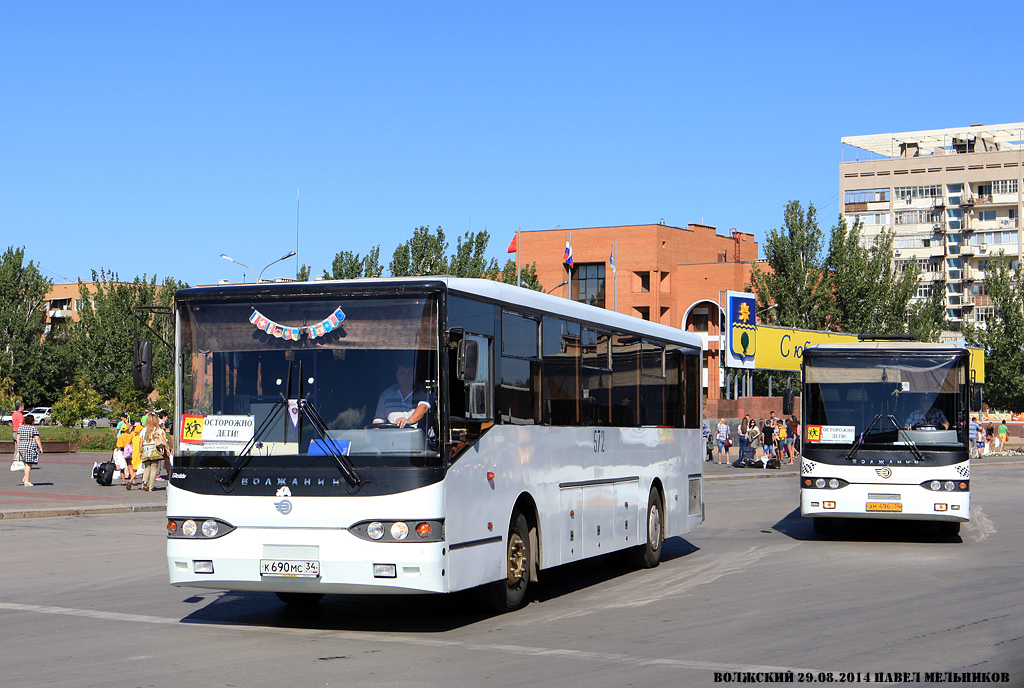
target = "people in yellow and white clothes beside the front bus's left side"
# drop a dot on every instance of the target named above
(143, 449)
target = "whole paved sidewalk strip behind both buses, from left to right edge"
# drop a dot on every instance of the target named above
(64, 486)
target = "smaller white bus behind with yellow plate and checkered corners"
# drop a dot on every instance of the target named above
(886, 434)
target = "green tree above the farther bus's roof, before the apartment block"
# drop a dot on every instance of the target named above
(870, 295)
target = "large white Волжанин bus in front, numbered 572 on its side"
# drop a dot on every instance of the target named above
(554, 432)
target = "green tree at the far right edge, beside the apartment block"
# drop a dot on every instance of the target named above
(1003, 337)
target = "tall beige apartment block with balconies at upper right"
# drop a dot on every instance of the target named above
(954, 198)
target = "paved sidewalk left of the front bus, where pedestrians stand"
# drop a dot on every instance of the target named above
(64, 487)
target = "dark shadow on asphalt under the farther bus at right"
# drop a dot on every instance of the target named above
(865, 531)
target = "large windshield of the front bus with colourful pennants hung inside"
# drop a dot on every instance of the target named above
(290, 383)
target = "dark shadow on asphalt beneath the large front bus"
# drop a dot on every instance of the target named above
(406, 614)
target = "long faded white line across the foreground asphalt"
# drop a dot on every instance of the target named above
(406, 640)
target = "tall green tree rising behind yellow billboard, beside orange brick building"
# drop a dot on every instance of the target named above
(796, 279)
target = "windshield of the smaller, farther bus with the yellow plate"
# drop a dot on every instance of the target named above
(885, 400)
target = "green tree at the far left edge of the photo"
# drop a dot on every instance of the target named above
(23, 300)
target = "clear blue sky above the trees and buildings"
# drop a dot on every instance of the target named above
(150, 138)
